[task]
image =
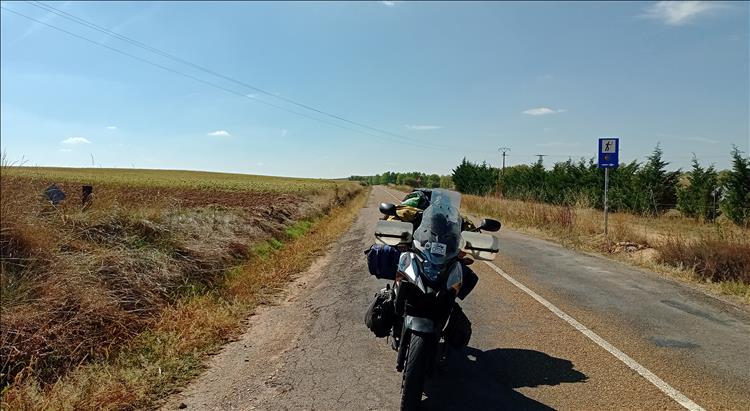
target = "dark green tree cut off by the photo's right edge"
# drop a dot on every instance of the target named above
(736, 201)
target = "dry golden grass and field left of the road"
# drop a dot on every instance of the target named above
(94, 302)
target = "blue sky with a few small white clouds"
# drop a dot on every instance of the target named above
(455, 79)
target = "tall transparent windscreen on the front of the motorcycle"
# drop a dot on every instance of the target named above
(439, 235)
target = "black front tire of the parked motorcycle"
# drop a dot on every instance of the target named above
(415, 371)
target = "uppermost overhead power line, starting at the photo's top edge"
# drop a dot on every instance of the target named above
(172, 57)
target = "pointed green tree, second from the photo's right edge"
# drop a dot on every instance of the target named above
(697, 198)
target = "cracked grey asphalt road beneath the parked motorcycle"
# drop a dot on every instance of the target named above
(552, 329)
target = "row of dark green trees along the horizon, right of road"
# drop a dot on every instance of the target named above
(647, 188)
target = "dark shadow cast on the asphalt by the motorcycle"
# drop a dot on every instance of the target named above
(481, 380)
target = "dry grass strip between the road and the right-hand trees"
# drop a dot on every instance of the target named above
(715, 253)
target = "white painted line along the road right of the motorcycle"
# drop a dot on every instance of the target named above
(645, 373)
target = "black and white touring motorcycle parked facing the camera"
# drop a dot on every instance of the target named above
(432, 273)
